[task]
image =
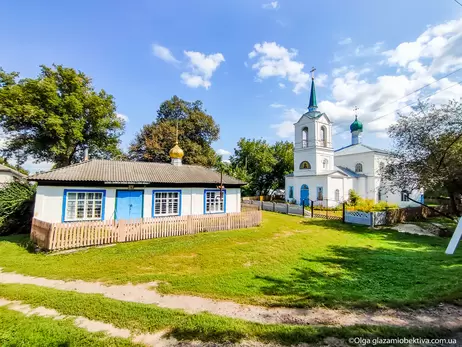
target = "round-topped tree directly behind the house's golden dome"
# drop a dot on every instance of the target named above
(196, 132)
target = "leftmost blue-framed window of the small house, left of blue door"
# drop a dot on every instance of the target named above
(83, 205)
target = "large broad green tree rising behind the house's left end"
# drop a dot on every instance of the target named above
(56, 115)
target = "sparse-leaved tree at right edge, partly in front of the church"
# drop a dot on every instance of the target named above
(427, 150)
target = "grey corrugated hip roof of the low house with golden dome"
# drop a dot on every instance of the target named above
(124, 172)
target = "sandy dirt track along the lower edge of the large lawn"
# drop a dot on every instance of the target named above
(444, 315)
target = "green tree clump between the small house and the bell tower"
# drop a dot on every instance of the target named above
(263, 165)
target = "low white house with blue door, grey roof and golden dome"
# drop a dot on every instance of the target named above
(116, 190)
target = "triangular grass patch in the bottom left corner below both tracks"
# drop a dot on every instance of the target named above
(20, 330)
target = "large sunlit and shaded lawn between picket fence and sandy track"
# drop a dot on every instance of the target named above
(287, 261)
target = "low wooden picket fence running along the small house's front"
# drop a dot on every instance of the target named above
(58, 236)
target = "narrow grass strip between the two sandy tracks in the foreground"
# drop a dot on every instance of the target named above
(204, 327)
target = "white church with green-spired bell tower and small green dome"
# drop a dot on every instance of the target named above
(325, 176)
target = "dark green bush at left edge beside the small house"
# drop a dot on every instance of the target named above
(16, 207)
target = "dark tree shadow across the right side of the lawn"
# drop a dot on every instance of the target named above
(370, 277)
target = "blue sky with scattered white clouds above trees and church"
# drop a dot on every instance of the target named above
(247, 60)
